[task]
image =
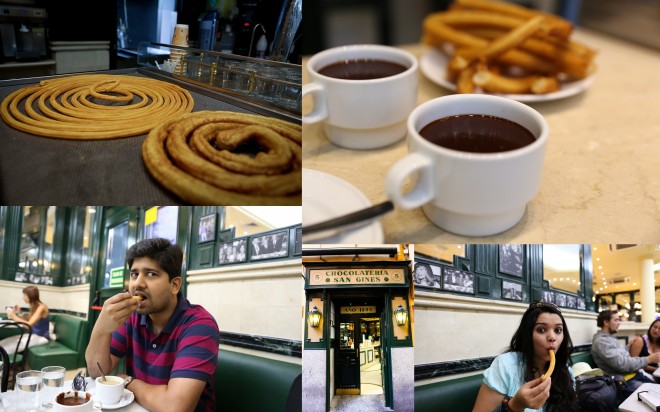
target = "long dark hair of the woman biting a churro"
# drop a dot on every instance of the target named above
(562, 393)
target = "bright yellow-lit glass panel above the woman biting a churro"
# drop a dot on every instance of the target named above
(561, 267)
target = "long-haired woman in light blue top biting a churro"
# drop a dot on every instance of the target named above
(534, 373)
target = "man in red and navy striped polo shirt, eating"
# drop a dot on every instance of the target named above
(171, 346)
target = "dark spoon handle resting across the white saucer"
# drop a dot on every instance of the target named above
(349, 221)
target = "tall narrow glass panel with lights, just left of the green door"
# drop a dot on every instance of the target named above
(80, 252)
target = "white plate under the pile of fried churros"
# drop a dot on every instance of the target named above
(433, 64)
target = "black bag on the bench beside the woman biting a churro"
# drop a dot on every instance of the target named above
(598, 393)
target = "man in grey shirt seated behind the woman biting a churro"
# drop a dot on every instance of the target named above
(613, 358)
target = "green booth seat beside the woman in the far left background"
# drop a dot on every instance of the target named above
(67, 350)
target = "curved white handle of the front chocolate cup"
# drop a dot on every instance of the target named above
(424, 190)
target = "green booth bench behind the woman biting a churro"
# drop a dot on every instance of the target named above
(461, 393)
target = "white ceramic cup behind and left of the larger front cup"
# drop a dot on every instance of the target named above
(362, 114)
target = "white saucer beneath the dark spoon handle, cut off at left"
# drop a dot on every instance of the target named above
(326, 196)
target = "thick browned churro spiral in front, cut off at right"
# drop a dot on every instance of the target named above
(202, 158)
